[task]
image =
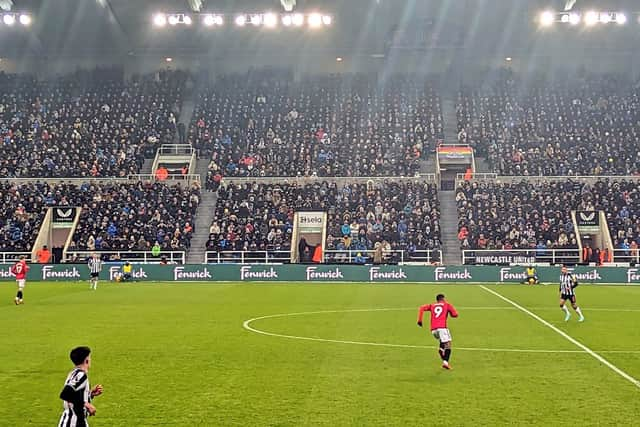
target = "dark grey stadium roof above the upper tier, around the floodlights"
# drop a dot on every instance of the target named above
(90, 27)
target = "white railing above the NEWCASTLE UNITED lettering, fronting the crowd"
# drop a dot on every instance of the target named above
(520, 256)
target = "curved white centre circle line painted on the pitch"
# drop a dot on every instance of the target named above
(247, 325)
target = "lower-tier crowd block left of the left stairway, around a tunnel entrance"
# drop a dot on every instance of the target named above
(115, 217)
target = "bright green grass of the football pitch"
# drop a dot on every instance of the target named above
(178, 355)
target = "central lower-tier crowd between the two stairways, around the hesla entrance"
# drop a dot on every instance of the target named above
(361, 218)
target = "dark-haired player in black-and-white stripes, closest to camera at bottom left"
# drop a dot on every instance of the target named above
(77, 393)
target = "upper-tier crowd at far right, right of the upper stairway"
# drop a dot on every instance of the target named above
(586, 125)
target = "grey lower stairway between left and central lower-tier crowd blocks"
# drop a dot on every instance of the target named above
(204, 216)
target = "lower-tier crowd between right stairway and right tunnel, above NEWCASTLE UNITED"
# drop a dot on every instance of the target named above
(521, 215)
